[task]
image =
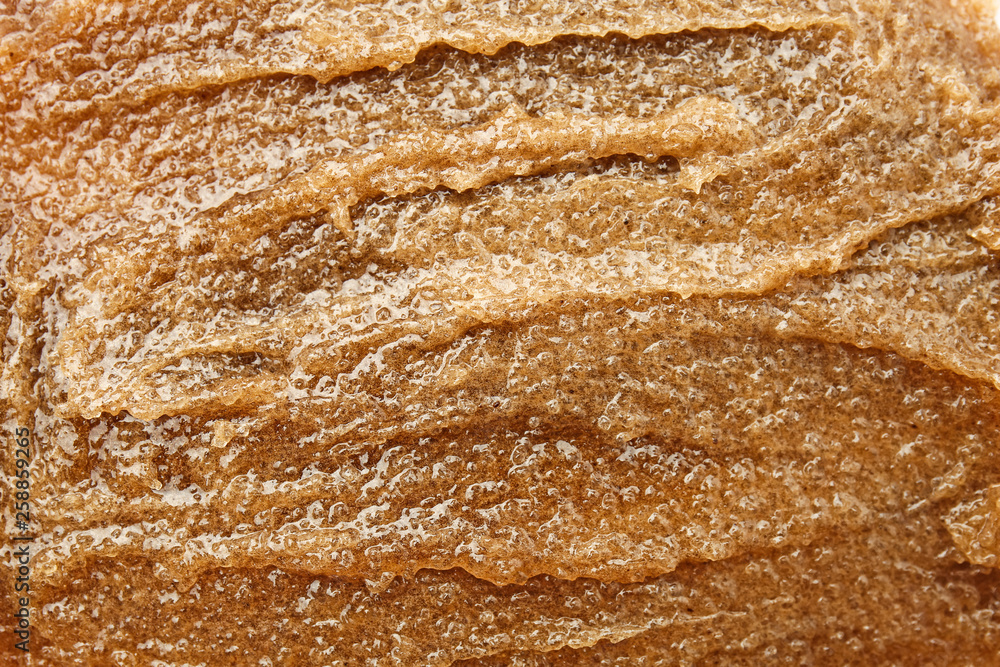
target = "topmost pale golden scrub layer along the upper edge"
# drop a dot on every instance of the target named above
(201, 44)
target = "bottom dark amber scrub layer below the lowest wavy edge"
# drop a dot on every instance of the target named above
(680, 612)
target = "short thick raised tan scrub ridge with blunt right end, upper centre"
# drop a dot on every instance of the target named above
(513, 144)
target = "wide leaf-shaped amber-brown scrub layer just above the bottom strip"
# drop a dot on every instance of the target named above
(388, 517)
